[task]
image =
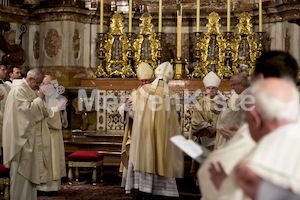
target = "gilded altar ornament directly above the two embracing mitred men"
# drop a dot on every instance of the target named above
(146, 45)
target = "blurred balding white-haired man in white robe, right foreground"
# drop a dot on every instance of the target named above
(273, 165)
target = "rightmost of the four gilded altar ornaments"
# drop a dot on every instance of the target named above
(244, 46)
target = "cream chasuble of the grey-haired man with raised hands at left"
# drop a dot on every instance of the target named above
(26, 131)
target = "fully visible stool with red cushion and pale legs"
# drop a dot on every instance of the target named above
(85, 159)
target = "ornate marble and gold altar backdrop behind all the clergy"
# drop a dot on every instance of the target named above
(92, 47)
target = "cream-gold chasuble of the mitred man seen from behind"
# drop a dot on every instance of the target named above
(155, 122)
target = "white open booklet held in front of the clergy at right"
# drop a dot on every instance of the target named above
(191, 148)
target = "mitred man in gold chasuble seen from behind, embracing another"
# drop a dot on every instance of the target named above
(154, 162)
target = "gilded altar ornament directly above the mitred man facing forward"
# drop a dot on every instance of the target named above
(212, 47)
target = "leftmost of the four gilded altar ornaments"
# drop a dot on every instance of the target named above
(116, 49)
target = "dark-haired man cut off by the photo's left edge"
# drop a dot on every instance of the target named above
(4, 90)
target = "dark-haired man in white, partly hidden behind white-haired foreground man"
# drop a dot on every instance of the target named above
(220, 163)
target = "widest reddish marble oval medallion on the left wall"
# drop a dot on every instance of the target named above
(53, 43)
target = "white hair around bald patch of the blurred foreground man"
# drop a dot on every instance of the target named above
(273, 109)
